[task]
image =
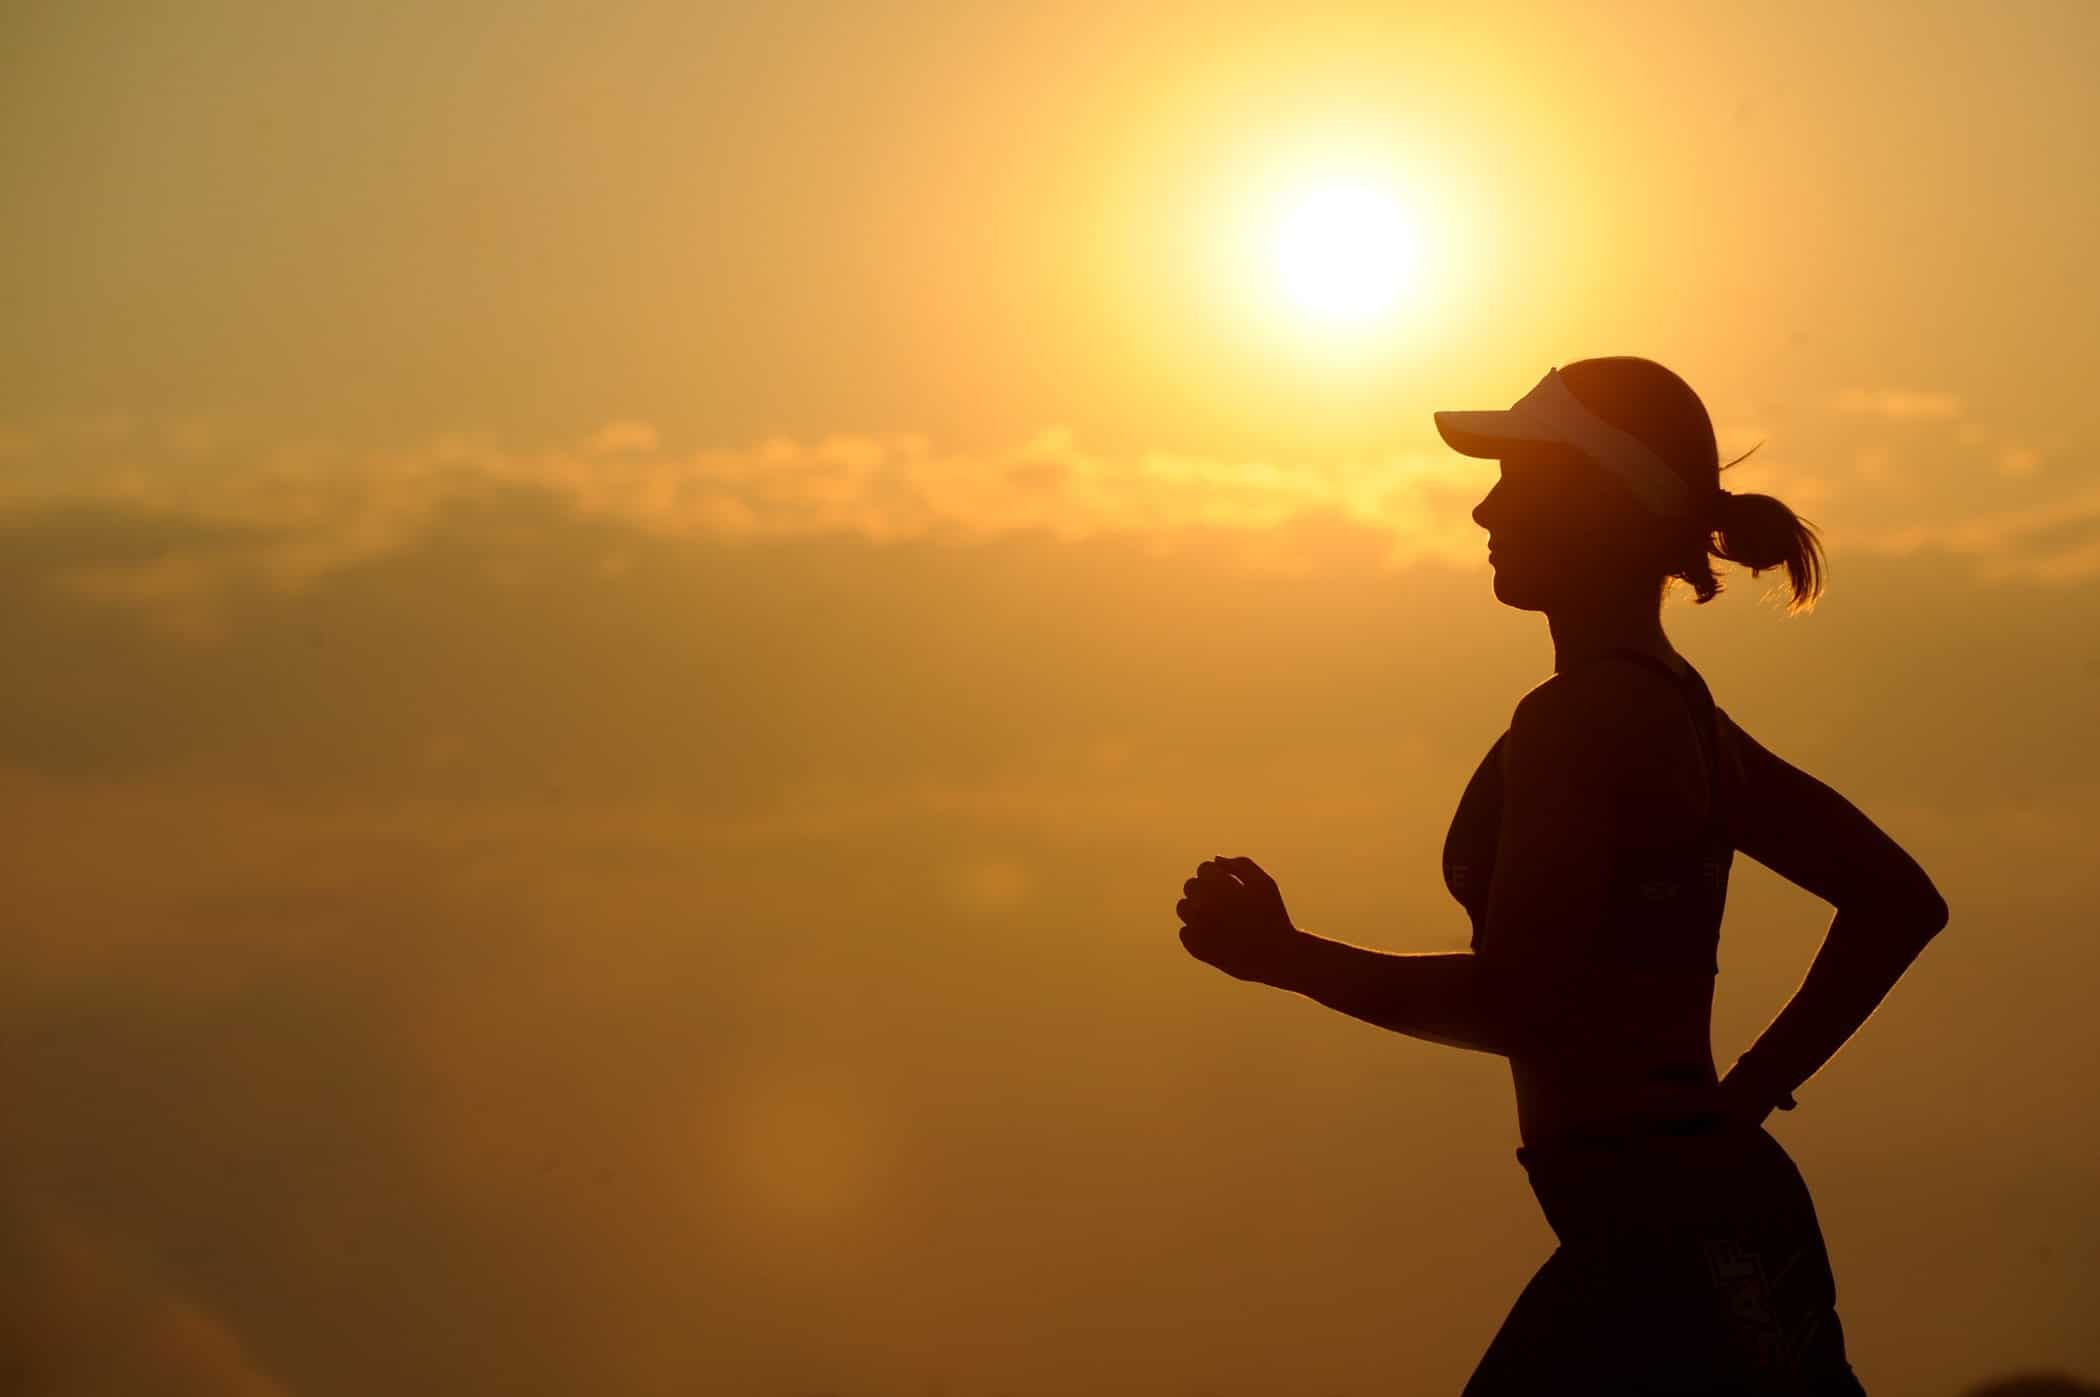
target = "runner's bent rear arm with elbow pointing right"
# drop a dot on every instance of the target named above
(1887, 913)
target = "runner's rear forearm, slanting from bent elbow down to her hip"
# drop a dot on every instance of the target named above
(1864, 955)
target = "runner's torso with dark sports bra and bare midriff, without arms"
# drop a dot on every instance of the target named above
(1658, 951)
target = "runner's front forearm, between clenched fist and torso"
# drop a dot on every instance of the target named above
(1437, 997)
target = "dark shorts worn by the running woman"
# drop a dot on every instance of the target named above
(1689, 1264)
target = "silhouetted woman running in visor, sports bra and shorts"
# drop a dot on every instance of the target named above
(1593, 852)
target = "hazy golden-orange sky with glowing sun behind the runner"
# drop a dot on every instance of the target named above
(627, 621)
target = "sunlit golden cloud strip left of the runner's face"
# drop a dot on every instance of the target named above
(287, 518)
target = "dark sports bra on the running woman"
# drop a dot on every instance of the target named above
(1664, 902)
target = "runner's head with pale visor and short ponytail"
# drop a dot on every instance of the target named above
(1612, 486)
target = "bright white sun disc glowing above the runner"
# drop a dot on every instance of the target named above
(1347, 253)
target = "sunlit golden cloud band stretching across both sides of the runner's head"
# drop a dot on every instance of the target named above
(276, 522)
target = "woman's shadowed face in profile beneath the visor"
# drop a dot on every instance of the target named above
(1557, 528)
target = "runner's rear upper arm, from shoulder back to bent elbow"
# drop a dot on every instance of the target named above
(1820, 841)
